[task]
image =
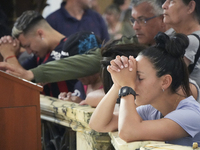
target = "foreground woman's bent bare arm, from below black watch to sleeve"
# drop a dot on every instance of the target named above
(133, 128)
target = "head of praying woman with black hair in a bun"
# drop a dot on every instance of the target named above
(161, 69)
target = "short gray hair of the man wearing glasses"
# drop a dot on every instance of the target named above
(156, 5)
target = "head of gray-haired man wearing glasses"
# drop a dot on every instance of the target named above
(147, 19)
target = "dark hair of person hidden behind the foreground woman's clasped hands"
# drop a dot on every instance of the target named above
(109, 52)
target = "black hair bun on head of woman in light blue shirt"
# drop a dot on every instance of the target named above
(174, 45)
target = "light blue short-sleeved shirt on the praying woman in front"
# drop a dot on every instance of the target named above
(187, 115)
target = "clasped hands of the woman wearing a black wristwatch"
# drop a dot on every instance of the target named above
(123, 71)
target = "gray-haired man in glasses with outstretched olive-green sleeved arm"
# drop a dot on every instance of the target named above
(147, 21)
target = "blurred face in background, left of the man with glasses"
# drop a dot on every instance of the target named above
(112, 14)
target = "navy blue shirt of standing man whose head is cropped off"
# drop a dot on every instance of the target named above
(64, 23)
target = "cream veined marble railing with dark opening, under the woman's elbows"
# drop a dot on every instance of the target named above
(72, 119)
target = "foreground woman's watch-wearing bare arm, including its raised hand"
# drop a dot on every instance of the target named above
(131, 127)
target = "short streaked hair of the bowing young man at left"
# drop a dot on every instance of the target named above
(26, 21)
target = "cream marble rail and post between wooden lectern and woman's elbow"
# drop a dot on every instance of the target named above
(76, 117)
